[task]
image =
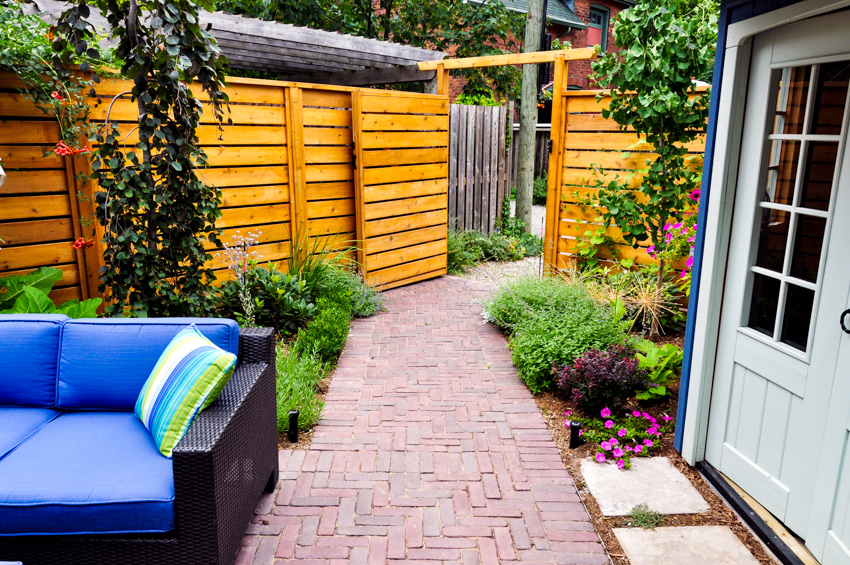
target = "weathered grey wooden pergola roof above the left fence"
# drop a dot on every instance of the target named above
(250, 43)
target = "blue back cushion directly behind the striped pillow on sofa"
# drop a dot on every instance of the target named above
(104, 363)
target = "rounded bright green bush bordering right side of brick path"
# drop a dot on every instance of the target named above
(550, 322)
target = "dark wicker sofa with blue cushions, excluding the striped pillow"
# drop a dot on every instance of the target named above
(81, 479)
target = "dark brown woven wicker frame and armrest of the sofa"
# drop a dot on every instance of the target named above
(223, 464)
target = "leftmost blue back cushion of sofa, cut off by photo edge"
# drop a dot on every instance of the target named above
(29, 350)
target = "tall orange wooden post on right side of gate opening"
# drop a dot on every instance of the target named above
(553, 192)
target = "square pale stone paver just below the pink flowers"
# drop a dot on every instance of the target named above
(651, 479)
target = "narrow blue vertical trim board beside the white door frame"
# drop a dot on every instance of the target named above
(711, 135)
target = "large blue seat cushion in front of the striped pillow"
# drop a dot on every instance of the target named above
(87, 473)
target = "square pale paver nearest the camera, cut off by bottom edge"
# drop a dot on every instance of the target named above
(690, 545)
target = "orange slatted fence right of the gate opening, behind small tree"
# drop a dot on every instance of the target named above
(582, 138)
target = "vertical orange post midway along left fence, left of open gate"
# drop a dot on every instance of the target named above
(297, 170)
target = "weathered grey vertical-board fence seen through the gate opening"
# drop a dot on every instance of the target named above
(480, 168)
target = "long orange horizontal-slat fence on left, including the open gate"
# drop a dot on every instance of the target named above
(367, 166)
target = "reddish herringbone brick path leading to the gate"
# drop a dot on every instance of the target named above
(430, 450)
